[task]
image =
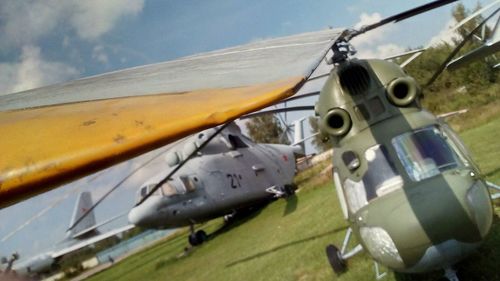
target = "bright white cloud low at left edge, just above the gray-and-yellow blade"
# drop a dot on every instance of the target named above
(32, 71)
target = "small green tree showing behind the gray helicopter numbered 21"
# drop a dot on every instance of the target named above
(266, 129)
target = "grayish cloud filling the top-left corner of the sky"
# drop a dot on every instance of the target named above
(25, 22)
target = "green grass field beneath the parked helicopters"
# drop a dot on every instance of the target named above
(286, 239)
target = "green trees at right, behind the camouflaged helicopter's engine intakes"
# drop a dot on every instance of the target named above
(473, 86)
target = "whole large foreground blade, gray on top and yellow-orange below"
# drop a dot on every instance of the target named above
(58, 133)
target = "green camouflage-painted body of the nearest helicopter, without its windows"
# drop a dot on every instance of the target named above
(381, 101)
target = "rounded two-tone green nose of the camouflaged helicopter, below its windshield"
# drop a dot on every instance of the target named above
(444, 221)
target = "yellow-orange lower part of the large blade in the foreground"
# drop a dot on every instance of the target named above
(47, 146)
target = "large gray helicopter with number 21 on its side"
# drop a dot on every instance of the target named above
(230, 173)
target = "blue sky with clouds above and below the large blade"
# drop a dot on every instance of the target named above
(52, 41)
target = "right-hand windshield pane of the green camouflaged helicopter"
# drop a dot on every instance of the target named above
(425, 153)
